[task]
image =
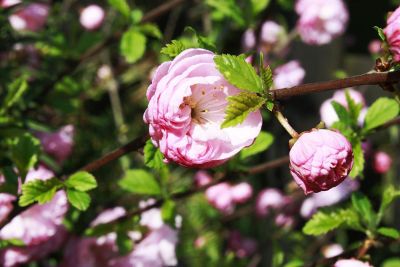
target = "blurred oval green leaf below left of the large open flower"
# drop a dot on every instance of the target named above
(140, 182)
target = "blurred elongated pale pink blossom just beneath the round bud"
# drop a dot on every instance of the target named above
(328, 198)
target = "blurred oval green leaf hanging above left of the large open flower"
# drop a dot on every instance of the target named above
(133, 45)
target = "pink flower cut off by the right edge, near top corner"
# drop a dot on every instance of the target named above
(392, 32)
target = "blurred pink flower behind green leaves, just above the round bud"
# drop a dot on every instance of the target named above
(328, 113)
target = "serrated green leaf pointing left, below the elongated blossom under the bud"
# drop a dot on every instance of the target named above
(323, 222)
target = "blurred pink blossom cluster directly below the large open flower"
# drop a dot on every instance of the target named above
(224, 196)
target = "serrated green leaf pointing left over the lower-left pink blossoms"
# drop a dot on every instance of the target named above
(41, 191)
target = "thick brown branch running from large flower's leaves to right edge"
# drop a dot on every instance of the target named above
(364, 79)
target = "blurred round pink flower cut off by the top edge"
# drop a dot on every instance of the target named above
(321, 20)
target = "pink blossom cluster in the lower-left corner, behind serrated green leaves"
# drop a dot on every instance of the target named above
(39, 227)
